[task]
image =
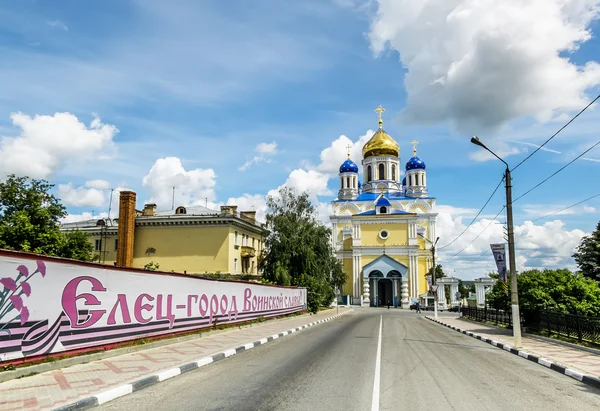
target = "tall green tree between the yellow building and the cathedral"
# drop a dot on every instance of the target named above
(298, 250)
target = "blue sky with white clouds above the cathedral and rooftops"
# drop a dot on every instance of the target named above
(228, 101)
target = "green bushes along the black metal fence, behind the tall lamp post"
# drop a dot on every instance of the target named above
(554, 290)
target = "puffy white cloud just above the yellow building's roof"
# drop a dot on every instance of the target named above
(191, 187)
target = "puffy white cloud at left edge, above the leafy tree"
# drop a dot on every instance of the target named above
(46, 143)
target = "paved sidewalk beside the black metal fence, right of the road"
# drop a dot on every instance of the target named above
(573, 359)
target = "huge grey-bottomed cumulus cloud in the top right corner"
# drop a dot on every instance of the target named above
(481, 63)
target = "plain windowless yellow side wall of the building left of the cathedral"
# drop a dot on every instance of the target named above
(190, 249)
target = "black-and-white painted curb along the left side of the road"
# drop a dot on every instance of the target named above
(148, 381)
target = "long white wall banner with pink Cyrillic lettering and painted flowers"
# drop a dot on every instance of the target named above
(50, 305)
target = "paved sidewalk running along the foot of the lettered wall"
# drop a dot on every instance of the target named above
(58, 388)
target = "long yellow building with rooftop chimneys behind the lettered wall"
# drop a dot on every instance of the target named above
(191, 239)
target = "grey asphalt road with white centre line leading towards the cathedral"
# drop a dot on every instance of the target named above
(422, 366)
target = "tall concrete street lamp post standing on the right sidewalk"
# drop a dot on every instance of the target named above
(514, 294)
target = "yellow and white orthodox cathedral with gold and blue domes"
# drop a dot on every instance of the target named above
(382, 227)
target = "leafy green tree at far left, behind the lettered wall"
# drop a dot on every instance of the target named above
(30, 220)
